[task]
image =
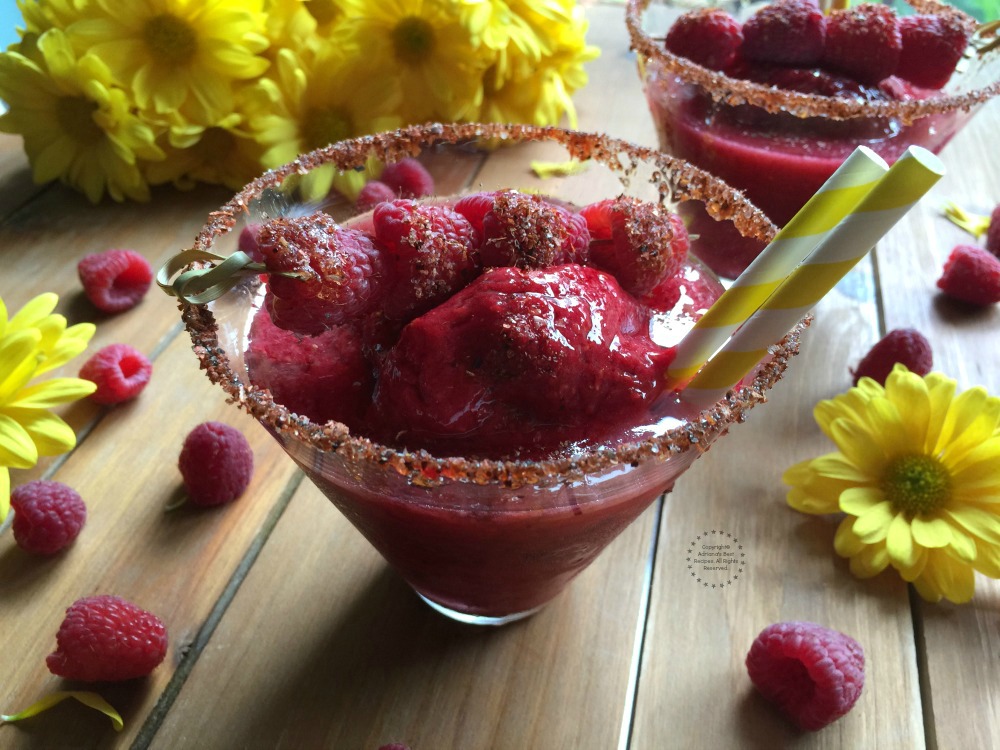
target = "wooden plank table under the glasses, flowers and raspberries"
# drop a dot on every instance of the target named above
(287, 630)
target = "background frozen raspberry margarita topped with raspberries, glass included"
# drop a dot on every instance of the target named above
(775, 103)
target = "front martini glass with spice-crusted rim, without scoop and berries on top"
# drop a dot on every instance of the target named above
(484, 541)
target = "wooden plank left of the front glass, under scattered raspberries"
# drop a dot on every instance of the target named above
(175, 564)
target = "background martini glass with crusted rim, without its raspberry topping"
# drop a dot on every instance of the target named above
(779, 146)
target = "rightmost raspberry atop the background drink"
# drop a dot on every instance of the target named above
(932, 47)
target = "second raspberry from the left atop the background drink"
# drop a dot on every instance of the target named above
(787, 32)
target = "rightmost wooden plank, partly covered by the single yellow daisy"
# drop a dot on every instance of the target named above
(961, 641)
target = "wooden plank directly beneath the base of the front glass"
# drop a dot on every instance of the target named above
(344, 655)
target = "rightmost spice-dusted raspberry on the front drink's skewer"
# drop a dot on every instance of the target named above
(635, 241)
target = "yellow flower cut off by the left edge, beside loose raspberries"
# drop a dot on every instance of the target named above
(33, 342)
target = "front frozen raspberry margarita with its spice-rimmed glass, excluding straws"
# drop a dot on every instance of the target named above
(477, 381)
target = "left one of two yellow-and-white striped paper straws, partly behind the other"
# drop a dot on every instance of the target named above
(837, 197)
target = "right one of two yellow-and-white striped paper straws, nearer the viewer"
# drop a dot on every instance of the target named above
(902, 186)
